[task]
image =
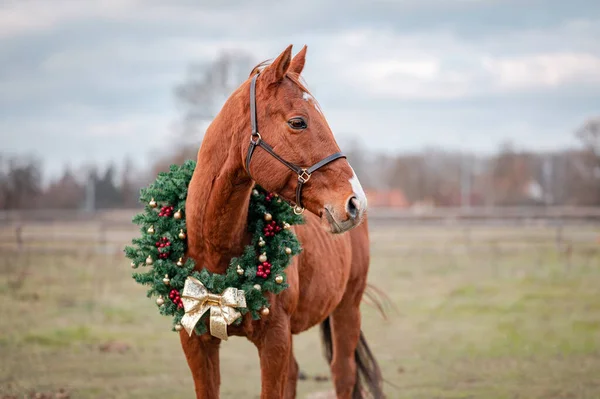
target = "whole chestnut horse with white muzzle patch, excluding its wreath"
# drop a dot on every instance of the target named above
(327, 280)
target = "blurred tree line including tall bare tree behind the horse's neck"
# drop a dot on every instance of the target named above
(510, 177)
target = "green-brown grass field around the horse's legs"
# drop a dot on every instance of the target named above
(484, 313)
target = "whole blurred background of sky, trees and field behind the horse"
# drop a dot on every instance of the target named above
(474, 126)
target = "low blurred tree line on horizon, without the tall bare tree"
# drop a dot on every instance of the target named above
(435, 177)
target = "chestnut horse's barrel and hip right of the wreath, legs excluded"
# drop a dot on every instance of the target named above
(328, 266)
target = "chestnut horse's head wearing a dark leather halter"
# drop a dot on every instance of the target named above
(293, 136)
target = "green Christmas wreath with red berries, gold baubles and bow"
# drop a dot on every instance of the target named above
(187, 294)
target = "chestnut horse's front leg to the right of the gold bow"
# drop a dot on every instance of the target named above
(274, 348)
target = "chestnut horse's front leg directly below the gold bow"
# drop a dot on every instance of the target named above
(202, 354)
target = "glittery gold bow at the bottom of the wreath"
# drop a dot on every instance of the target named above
(197, 300)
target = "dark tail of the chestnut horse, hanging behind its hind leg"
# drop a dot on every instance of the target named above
(368, 374)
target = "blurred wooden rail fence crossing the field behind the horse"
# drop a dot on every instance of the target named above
(441, 229)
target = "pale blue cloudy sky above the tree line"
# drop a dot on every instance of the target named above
(92, 81)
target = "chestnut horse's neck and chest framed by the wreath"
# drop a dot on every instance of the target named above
(217, 206)
